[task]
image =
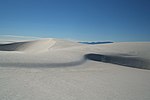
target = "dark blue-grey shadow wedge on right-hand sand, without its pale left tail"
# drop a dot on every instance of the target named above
(128, 61)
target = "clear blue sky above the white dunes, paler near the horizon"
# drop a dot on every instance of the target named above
(82, 20)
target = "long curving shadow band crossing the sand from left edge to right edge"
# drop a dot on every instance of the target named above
(124, 60)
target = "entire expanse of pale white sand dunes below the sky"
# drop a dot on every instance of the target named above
(54, 69)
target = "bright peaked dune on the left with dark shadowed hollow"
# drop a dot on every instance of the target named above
(28, 46)
